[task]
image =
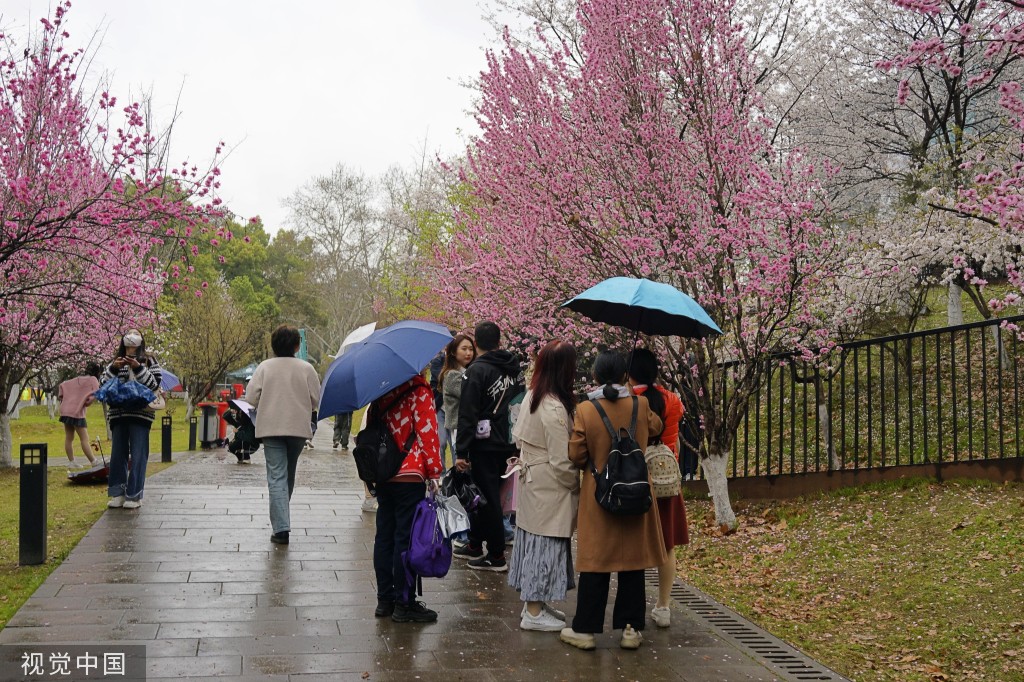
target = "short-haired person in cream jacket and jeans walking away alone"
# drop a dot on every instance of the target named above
(285, 392)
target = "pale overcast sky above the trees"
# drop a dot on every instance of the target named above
(295, 88)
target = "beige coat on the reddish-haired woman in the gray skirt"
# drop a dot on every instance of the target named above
(549, 485)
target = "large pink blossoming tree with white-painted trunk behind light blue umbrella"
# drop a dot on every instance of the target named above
(646, 156)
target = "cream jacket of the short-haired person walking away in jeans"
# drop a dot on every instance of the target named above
(285, 393)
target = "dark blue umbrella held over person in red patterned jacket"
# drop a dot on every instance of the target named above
(371, 368)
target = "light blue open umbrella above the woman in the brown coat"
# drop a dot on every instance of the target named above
(645, 307)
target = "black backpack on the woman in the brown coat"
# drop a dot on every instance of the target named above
(624, 487)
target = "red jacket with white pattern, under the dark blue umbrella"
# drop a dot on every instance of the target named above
(414, 411)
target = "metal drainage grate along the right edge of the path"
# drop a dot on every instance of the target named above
(787, 662)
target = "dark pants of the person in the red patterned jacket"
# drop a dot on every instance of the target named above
(396, 506)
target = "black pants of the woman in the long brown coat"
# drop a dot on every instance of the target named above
(592, 599)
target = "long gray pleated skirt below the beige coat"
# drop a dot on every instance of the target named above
(541, 568)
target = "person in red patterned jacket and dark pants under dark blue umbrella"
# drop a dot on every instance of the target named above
(409, 410)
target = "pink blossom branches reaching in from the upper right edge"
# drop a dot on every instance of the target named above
(989, 200)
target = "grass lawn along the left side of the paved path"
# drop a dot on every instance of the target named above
(72, 509)
